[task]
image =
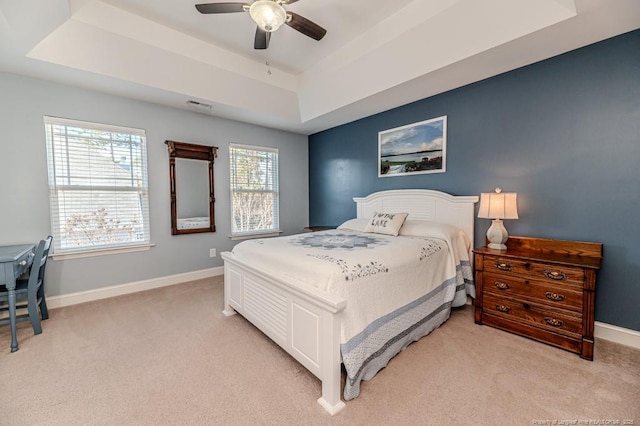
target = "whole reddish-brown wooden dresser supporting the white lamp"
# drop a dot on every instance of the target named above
(540, 288)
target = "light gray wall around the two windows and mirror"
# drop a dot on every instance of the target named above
(24, 197)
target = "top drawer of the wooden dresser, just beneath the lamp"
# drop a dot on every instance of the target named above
(539, 271)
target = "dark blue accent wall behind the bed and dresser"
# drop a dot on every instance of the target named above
(563, 133)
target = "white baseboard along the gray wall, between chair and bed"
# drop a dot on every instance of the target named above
(134, 287)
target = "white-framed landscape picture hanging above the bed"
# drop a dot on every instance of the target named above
(413, 149)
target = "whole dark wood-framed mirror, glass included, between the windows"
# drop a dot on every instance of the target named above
(191, 184)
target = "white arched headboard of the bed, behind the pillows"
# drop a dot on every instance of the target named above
(424, 204)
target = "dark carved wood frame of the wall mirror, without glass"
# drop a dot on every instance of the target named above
(193, 152)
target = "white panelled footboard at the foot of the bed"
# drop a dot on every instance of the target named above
(301, 319)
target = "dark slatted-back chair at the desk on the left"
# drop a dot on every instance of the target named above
(30, 291)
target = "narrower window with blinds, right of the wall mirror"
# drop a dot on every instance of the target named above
(254, 190)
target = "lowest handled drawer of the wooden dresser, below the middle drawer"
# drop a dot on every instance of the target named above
(565, 323)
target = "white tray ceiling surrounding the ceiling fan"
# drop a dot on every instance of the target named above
(377, 54)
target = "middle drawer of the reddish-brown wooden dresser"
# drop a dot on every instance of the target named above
(544, 292)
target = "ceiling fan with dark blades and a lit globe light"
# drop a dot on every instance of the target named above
(269, 15)
